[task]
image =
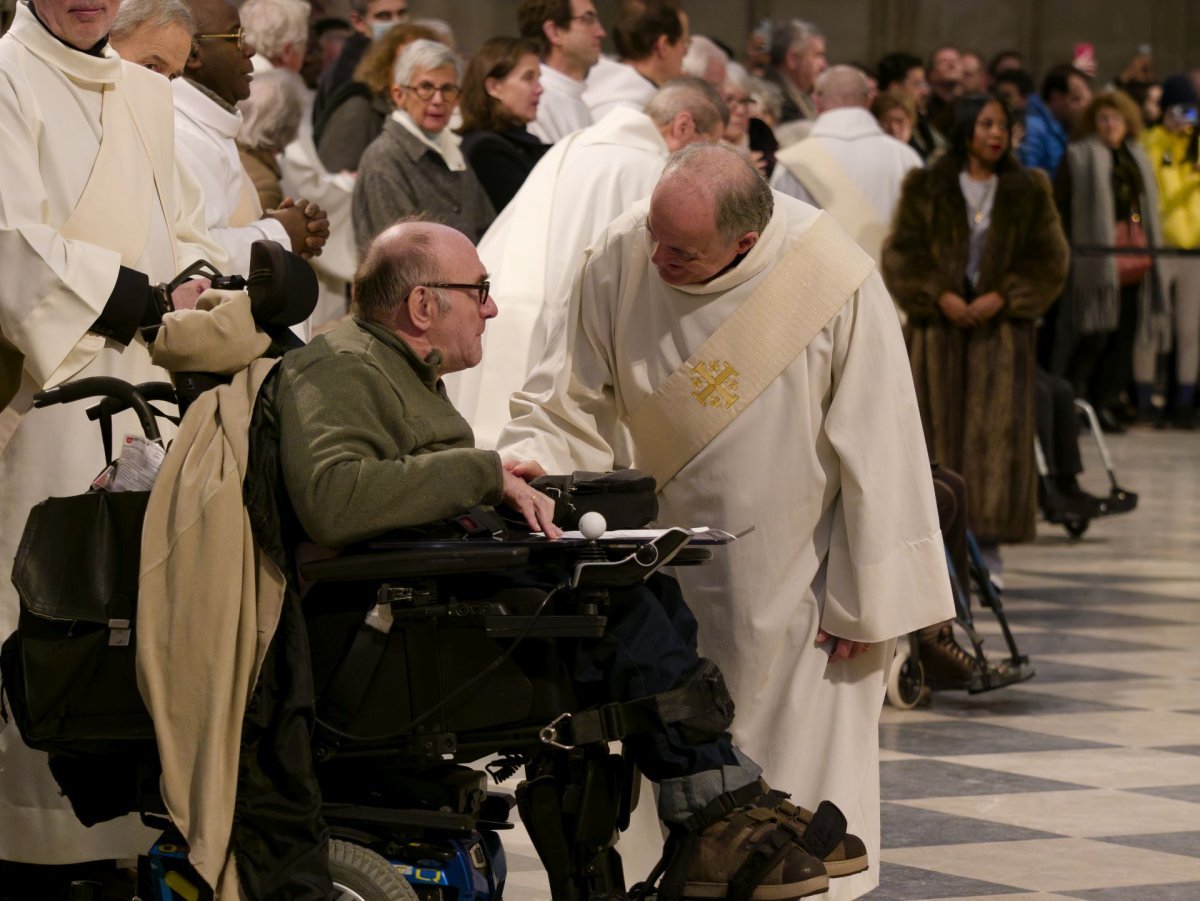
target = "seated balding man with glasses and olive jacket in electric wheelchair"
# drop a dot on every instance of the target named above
(370, 445)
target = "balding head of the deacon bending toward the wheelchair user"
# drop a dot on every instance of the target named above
(710, 207)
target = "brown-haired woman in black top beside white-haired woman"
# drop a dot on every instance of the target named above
(500, 99)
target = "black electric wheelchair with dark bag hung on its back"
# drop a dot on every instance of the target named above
(395, 666)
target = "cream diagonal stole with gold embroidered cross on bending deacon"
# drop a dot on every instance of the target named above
(771, 328)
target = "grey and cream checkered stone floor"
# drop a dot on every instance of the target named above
(1085, 782)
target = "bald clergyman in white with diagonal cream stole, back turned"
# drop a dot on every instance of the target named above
(848, 166)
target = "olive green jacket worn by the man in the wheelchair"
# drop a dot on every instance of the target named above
(370, 443)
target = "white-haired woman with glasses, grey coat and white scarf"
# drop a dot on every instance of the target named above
(416, 166)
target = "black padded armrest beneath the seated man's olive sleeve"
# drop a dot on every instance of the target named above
(415, 563)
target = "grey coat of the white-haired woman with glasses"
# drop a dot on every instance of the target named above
(400, 176)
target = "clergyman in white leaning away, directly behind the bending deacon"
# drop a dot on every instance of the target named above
(535, 247)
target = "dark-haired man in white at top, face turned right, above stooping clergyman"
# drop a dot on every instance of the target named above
(652, 40)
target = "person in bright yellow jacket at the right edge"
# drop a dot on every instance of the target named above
(1173, 152)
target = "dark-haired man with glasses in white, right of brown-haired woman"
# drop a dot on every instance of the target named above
(569, 34)
